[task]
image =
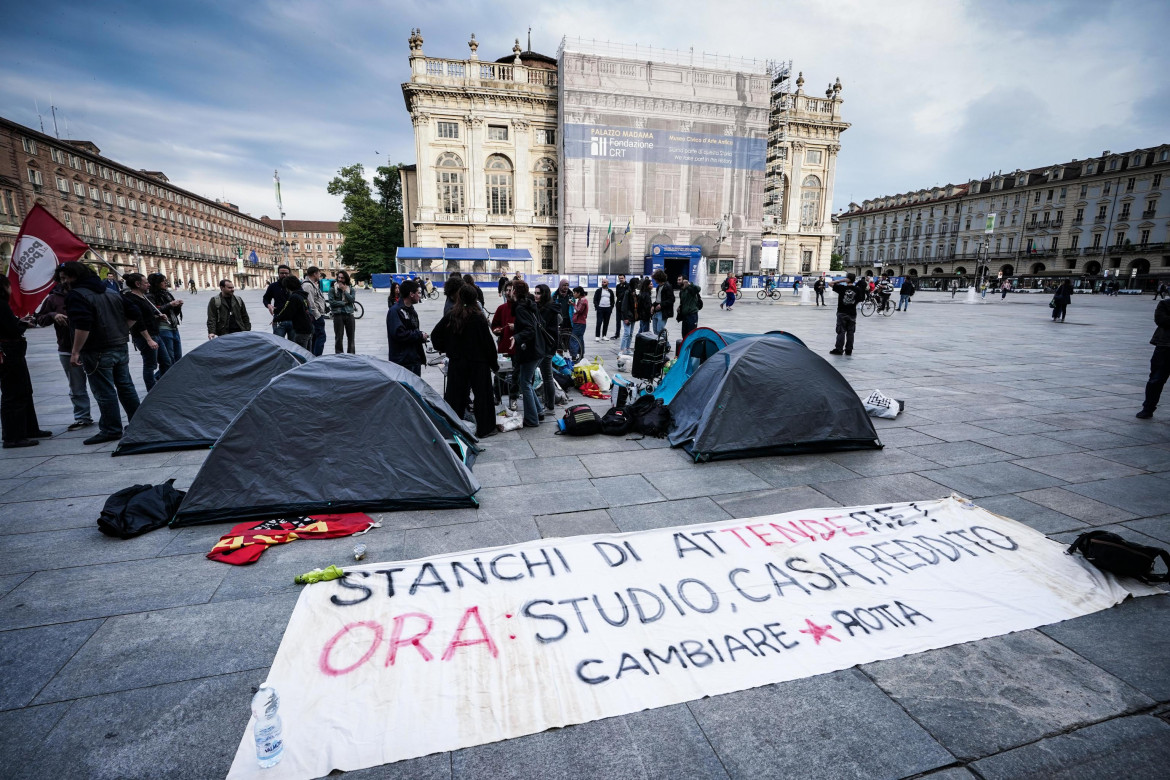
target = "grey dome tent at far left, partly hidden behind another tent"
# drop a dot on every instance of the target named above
(192, 404)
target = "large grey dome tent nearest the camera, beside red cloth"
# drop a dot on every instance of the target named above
(345, 433)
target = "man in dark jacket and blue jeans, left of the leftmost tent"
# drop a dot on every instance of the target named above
(101, 334)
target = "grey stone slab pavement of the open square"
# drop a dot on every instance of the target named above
(137, 659)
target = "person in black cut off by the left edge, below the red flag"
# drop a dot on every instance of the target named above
(18, 417)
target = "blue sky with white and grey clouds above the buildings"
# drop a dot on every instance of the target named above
(218, 94)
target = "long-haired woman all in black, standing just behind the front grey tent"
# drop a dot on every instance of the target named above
(465, 337)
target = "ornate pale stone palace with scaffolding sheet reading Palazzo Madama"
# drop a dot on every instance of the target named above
(590, 160)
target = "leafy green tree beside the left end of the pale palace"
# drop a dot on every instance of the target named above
(373, 223)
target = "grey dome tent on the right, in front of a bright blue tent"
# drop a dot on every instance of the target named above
(766, 396)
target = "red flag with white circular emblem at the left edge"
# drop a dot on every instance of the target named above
(43, 245)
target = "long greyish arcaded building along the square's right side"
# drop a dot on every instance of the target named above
(1098, 218)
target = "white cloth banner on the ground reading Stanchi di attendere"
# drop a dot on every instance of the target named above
(396, 661)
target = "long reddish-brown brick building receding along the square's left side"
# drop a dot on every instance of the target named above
(136, 219)
